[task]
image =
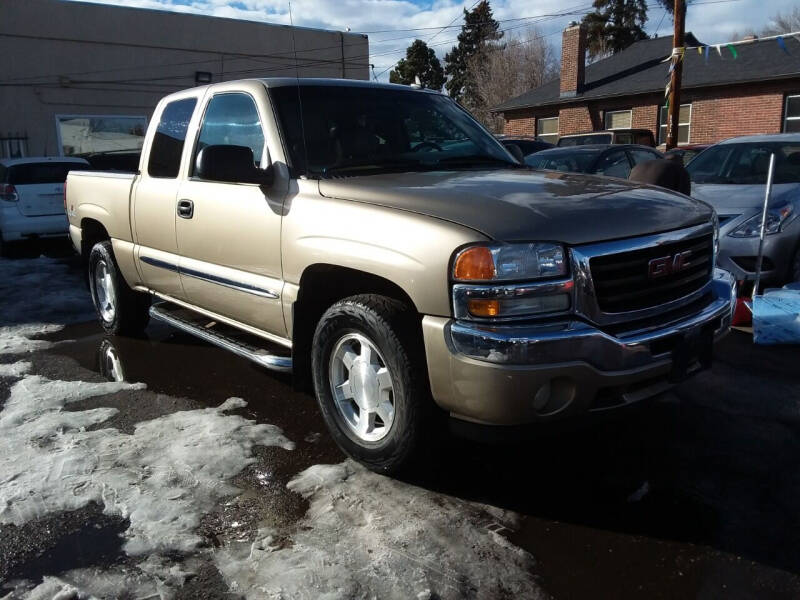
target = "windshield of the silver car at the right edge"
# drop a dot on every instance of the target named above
(746, 163)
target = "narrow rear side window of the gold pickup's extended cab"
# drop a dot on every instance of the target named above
(165, 152)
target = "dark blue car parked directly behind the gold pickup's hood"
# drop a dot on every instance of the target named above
(597, 159)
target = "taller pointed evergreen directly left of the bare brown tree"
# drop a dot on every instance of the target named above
(478, 31)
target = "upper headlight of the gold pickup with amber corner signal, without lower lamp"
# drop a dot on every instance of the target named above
(509, 262)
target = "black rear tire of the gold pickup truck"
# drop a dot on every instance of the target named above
(130, 308)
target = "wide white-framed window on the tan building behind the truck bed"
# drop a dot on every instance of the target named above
(89, 134)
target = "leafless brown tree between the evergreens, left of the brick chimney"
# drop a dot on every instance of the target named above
(502, 72)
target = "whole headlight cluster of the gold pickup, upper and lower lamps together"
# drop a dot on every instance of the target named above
(481, 271)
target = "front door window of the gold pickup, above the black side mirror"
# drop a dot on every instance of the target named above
(232, 120)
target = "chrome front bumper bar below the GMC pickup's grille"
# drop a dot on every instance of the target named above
(578, 341)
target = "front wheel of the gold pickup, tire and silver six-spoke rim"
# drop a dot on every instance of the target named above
(371, 382)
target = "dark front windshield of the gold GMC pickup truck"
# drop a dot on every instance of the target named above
(353, 130)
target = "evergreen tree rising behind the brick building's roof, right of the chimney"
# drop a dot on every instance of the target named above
(614, 25)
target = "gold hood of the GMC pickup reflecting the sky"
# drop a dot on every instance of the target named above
(526, 205)
